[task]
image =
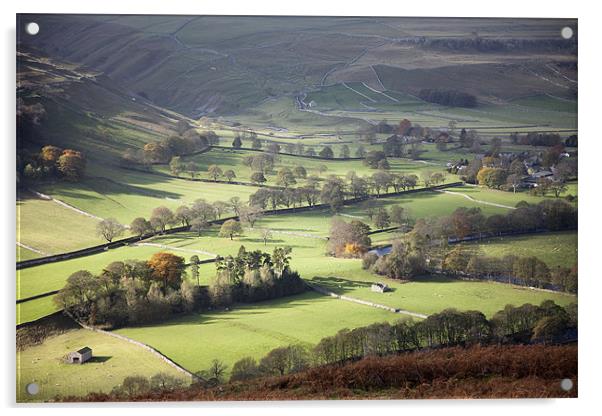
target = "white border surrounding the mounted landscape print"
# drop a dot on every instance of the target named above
(589, 129)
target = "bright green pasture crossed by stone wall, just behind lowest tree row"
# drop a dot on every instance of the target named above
(195, 340)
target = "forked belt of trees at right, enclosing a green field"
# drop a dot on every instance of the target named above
(426, 247)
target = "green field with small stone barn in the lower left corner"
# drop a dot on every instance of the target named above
(113, 360)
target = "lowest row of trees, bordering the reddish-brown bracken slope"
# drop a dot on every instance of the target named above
(545, 323)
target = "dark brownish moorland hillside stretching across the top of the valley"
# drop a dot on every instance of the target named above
(212, 65)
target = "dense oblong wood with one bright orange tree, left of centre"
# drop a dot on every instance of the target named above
(135, 291)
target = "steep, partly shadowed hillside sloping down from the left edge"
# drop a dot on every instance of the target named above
(84, 109)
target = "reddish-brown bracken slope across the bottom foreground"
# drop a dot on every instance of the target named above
(480, 372)
